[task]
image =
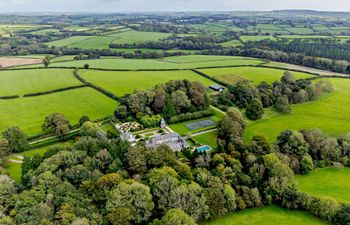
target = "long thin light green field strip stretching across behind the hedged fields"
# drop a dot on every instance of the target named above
(178, 62)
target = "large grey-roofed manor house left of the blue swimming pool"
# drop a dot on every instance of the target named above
(173, 140)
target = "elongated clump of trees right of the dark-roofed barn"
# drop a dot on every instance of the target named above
(280, 94)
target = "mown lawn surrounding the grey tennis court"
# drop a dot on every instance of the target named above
(183, 130)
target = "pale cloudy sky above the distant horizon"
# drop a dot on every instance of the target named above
(168, 5)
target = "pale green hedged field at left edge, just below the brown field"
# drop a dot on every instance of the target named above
(19, 82)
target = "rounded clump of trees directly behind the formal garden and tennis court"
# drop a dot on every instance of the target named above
(180, 98)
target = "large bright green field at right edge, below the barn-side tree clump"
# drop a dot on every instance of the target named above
(330, 113)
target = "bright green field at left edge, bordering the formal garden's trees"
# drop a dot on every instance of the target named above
(29, 113)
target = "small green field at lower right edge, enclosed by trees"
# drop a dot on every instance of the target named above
(327, 183)
